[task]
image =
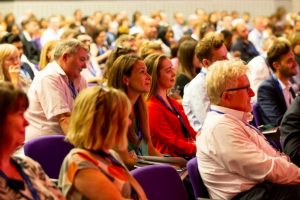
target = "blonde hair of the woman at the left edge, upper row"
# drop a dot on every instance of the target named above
(5, 51)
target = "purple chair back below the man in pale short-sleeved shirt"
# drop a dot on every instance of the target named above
(49, 152)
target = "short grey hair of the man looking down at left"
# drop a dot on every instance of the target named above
(68, 46)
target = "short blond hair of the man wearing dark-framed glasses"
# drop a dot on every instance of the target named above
(223, 75)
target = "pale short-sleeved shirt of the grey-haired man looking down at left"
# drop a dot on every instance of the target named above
(49, 96)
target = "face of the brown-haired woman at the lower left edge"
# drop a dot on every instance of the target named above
(14, 128)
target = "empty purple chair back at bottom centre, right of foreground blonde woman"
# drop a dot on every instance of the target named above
(160, 182)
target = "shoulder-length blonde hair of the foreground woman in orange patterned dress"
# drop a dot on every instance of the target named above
(99, 119)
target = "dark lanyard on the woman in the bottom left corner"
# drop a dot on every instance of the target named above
(16, 186)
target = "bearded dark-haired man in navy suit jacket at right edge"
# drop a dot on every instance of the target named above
(275, 94)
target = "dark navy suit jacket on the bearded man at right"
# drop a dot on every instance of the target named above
(271, 102)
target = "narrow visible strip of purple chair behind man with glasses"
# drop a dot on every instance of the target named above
(200, 190)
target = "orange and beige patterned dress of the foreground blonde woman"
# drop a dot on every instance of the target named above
(79, 159)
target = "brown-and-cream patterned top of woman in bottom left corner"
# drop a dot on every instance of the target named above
(46, 190)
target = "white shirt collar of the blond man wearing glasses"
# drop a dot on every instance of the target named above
(243, 116)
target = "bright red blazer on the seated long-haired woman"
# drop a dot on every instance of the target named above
(166, 130)
